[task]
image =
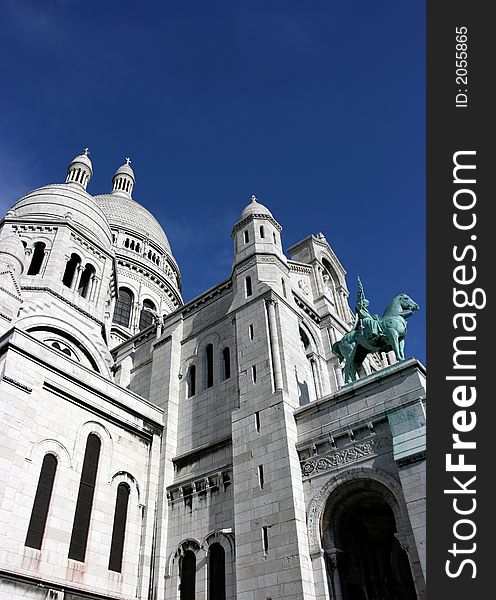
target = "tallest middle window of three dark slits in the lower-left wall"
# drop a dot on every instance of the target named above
(80, 528)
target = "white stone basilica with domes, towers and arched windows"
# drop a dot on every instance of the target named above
(158, 450)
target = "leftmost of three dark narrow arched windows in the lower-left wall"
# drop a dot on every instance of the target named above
(41, 503)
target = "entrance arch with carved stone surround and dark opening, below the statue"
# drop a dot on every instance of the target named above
(361, 540)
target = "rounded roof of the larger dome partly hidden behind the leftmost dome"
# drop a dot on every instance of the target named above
(124, 212)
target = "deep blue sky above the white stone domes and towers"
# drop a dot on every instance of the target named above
(317, 107)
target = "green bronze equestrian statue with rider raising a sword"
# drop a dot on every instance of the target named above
(372, 333)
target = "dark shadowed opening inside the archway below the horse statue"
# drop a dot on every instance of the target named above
(368, 561)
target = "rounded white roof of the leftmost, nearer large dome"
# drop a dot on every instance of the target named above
(65, 202)
